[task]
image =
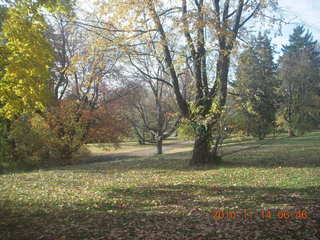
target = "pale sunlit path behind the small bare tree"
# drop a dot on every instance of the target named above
(167, 148)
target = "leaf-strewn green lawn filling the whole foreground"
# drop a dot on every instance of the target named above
(161, 197)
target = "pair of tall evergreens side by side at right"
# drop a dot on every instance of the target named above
(271, 96)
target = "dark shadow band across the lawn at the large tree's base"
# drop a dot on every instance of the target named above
(243, 158)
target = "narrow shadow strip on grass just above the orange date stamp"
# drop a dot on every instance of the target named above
(191, 195)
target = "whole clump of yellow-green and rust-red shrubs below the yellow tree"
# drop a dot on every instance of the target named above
(63, 130)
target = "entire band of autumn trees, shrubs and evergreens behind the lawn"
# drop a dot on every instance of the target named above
(67, 79)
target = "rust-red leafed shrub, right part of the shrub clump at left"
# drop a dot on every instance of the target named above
(73, 125)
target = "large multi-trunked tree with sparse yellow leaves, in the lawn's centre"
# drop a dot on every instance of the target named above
(205, 33)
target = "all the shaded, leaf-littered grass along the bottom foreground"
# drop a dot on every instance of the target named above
(164, 212)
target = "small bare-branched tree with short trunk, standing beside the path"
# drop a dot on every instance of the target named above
(152, 113)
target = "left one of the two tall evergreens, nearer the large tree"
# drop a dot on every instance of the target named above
(256, 87)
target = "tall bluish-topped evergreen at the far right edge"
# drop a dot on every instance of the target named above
(299, 76)
